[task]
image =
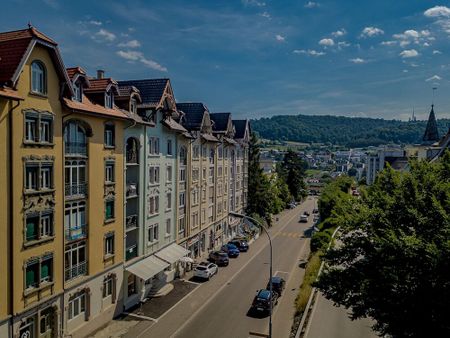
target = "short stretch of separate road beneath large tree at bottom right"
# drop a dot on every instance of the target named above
(329, 321)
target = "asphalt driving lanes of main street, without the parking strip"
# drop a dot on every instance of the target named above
(226, 314)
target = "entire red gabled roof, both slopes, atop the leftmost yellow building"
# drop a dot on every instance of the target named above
(16, 46)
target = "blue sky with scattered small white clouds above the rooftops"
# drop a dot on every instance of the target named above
(258, 58)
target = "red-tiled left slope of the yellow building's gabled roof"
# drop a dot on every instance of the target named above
(13, 46)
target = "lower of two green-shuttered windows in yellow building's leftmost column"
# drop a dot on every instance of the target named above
(38, 271)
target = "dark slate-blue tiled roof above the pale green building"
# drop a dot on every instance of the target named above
(151, 90)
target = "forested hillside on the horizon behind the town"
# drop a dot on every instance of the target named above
(347, 131)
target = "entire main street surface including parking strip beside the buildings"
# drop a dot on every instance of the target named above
(219, 308)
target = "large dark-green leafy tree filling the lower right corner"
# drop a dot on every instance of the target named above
(393, 260)
